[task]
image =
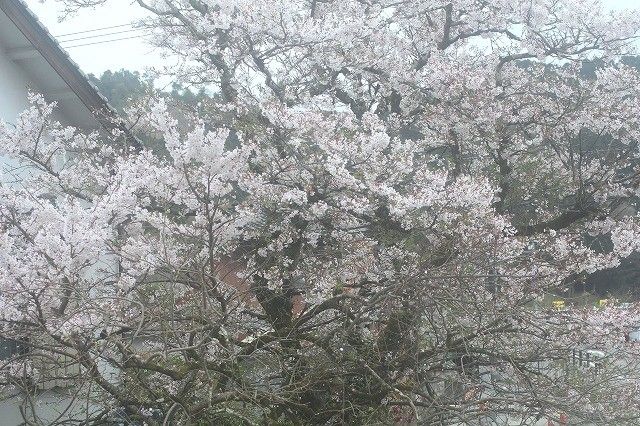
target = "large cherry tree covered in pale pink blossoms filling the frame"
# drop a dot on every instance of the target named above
(359, 230)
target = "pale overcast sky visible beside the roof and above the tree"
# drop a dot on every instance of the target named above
(95, 51)
